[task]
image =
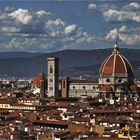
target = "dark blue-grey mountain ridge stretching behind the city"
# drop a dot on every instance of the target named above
(72, 62)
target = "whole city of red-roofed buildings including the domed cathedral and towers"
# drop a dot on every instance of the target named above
(62, 108)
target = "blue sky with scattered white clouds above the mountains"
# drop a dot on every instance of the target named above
(44, 26)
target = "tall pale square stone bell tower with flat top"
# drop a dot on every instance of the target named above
(53, 77)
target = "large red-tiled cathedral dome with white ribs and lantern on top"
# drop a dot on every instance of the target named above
(116, 65)
